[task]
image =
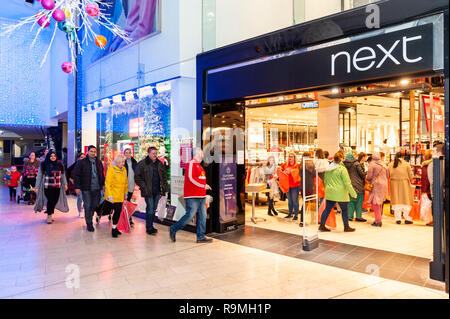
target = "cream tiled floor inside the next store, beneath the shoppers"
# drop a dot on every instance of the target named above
(415, 240)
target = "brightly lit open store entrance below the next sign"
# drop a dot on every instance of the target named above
(387, 117)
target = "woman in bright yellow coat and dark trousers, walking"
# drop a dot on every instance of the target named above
(116, 189)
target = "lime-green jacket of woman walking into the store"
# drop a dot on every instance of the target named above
(337, 184)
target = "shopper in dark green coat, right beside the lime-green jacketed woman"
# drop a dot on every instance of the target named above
(358, 178)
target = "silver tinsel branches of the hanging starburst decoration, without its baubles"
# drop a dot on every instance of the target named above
(77, 17)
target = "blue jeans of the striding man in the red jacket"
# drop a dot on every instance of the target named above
(193, 205)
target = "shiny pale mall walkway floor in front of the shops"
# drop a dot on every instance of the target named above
(63, 260)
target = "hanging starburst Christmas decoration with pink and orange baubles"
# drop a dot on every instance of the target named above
(78, 18)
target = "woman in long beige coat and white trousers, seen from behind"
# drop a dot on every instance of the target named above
(401, 176)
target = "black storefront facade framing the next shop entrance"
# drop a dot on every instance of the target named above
(334, 51)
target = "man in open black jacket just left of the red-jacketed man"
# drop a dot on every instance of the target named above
(151, 177)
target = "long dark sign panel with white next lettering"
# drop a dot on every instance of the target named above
(395, 53)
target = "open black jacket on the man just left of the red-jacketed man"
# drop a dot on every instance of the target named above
(144, 175)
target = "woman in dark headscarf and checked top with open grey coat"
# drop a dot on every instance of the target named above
(51, 182)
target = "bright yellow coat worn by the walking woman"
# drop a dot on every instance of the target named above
(116, 184)
